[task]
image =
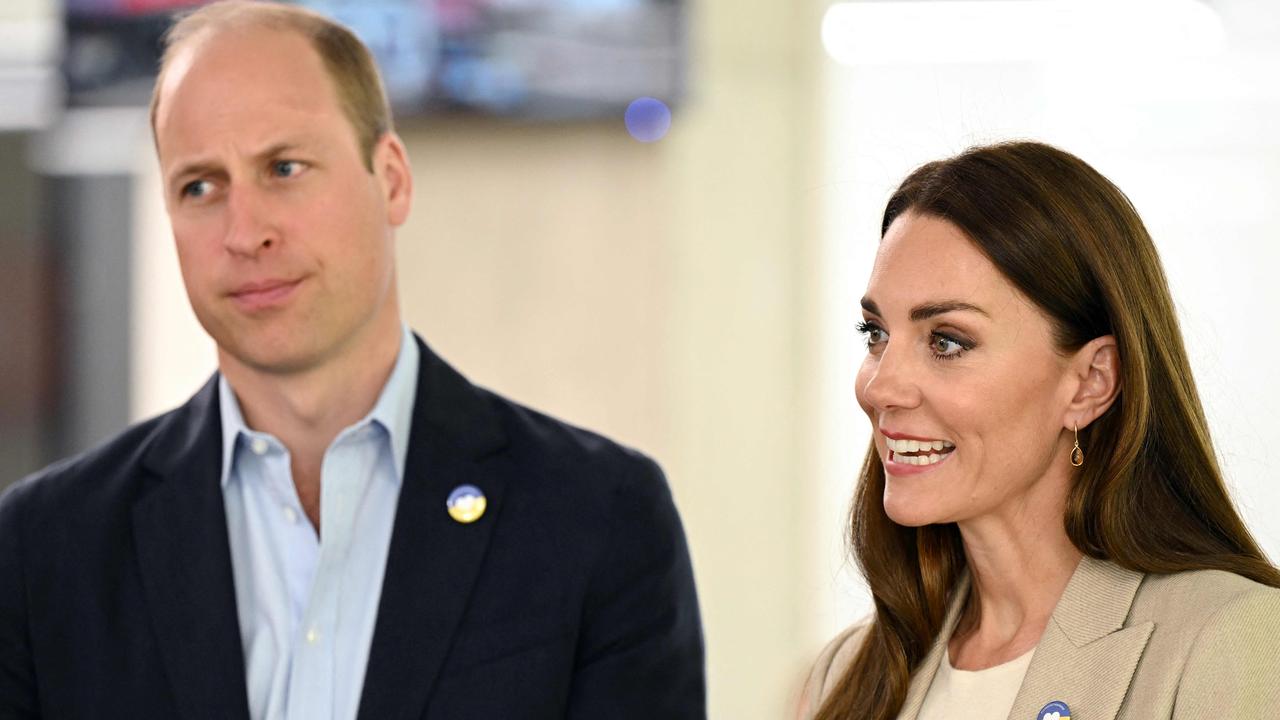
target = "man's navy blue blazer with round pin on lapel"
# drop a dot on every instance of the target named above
(572, 598)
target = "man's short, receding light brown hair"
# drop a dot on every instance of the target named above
(349, 62)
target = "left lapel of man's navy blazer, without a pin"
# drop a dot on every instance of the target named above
(180, 528)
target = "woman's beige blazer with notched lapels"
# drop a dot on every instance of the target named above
(1201, 645)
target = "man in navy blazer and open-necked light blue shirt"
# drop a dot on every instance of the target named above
(339, 525)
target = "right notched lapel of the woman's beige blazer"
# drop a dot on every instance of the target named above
(1087, 657)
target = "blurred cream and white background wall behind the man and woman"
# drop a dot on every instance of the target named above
(696, 297)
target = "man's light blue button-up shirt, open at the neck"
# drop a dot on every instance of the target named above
(307, 604)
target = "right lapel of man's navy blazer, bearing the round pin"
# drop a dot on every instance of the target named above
(433, 560)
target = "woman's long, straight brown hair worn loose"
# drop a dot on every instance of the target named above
(1151, 495)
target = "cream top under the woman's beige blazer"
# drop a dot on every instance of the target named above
(975, 695)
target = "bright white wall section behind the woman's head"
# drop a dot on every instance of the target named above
(1186, 129)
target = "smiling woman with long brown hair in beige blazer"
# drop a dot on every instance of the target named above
(1041, 518)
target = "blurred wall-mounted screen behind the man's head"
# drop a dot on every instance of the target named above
(525, 60)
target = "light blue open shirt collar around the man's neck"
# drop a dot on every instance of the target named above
(394, 411)
